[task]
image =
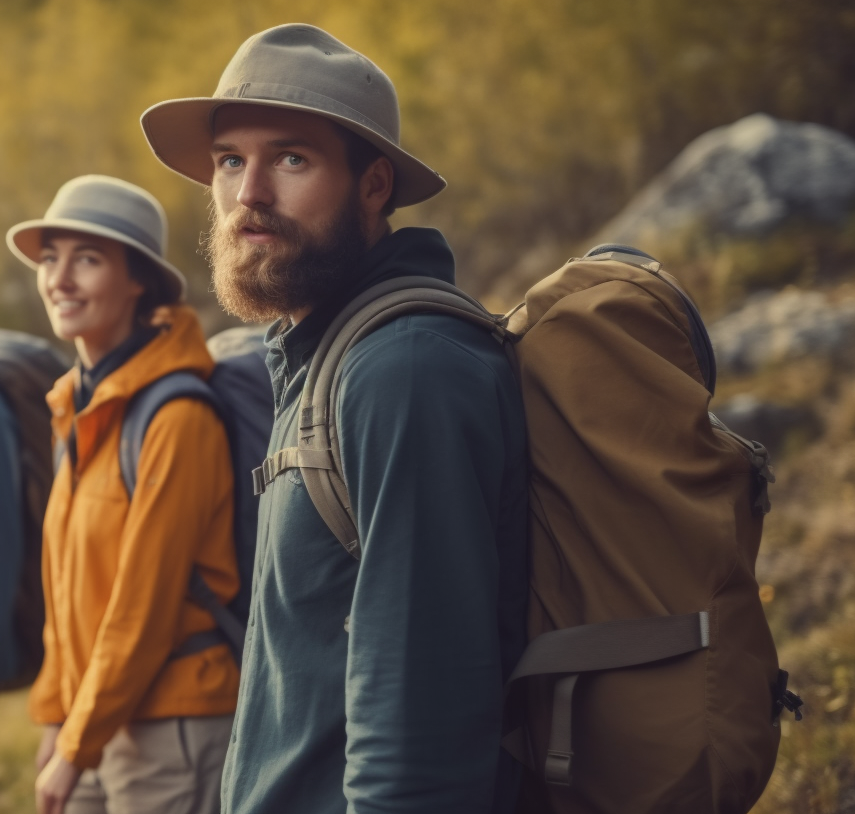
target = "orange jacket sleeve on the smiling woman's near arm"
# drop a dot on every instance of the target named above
(183, 493)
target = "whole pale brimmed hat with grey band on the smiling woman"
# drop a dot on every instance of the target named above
(108, 207)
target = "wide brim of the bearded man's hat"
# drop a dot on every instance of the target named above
(180, 134)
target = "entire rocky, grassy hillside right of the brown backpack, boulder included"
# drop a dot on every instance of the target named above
(757, 220)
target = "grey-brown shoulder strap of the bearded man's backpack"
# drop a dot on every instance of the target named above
(318, 455)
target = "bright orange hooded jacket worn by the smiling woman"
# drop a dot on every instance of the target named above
(116, 572)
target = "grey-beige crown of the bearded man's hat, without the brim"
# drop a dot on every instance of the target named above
(303, 65)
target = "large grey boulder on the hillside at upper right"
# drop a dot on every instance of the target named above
(745, 180)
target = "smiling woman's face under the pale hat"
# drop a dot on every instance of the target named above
(89, 295)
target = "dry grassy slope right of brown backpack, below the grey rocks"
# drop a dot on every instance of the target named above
(807, 568)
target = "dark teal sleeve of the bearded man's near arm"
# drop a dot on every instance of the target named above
(423, 445)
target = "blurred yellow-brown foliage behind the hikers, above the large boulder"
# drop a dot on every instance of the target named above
(544, 119)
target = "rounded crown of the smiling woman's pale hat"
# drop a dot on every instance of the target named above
(114, 204)
